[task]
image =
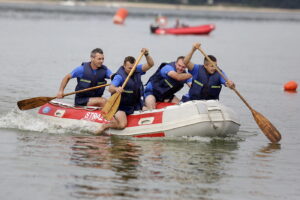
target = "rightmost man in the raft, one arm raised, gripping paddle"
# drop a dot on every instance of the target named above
(207, 82)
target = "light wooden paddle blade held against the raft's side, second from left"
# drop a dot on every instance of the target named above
(111, 106)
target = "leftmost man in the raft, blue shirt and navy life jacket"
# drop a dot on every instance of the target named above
(88, 74)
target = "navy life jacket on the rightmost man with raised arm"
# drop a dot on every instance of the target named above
(205, 86)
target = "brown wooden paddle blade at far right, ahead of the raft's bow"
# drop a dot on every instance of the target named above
(267, 127)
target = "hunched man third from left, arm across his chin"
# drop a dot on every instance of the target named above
(168, 79)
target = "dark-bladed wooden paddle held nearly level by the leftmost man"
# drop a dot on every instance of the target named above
(35, 102)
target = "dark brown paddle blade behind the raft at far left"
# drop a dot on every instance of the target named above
(35, 102)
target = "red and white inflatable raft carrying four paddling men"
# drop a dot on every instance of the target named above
(194, 118)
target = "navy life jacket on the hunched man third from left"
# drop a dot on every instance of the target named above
(164, 88)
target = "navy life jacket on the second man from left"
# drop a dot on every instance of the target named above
(132, 94)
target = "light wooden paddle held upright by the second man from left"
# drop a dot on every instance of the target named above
(112, 104)
